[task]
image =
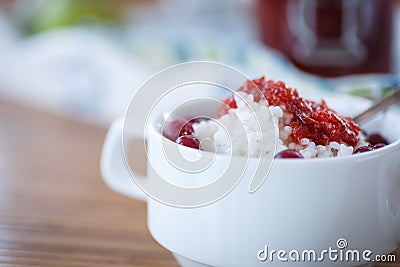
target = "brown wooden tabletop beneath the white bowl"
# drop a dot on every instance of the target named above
(55, 209)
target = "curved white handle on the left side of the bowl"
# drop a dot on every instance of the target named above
(113, 166)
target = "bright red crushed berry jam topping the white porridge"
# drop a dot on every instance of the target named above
(311, 120)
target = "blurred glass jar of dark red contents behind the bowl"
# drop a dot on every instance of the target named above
(330, 37)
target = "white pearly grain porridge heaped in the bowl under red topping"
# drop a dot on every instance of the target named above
(258, 137)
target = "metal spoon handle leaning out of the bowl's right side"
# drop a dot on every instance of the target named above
(379, 105)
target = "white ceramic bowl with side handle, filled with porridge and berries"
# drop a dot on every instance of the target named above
(303, 205)
